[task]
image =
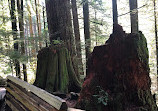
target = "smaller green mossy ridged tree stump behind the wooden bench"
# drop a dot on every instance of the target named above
(55, 72)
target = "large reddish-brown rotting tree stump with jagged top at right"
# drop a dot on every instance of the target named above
(118, 75)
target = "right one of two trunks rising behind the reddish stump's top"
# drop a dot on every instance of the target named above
(134, 16)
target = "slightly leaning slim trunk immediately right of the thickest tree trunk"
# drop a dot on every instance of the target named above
(77, 36)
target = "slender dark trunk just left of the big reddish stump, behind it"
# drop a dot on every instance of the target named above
(86, 28)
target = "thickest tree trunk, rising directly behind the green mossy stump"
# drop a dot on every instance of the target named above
(59, 22)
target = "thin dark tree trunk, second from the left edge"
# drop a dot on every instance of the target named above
(21, 27)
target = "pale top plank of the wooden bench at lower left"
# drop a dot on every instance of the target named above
(55, 101)
